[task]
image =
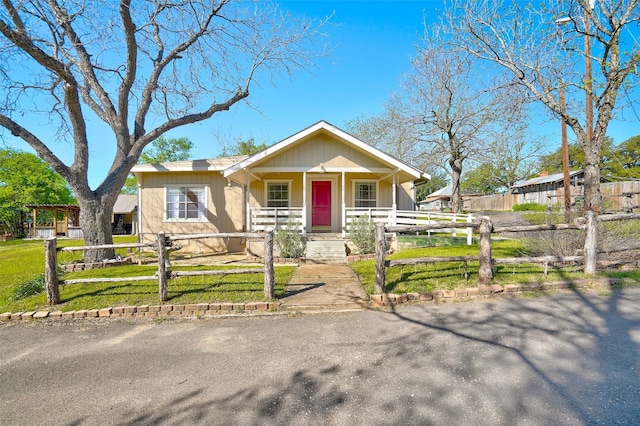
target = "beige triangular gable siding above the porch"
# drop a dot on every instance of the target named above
(320, 149)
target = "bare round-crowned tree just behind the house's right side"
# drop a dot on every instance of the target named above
(455, 112)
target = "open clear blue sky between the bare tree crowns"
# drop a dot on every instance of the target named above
(374, 42)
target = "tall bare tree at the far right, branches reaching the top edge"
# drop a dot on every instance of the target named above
(554, 45)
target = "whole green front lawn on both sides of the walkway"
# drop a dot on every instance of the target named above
(22, 261)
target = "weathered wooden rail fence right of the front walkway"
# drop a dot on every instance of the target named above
(485, 228)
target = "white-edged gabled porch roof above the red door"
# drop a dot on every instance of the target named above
(391, 163)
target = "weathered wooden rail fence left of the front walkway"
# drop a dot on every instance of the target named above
(162, 244)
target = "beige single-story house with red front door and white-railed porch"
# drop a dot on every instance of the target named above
(321, 178)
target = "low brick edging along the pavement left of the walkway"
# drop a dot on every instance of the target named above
(190, 310)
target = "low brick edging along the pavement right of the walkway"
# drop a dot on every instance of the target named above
(492, 290)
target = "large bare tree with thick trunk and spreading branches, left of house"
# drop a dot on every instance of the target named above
(140, 67)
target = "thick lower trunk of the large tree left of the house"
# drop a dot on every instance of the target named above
(95, 221)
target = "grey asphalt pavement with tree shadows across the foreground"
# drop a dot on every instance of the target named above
(570, 358)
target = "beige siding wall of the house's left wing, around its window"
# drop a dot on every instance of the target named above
(224, 211)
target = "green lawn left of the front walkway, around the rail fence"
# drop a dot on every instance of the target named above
(23, 260)
